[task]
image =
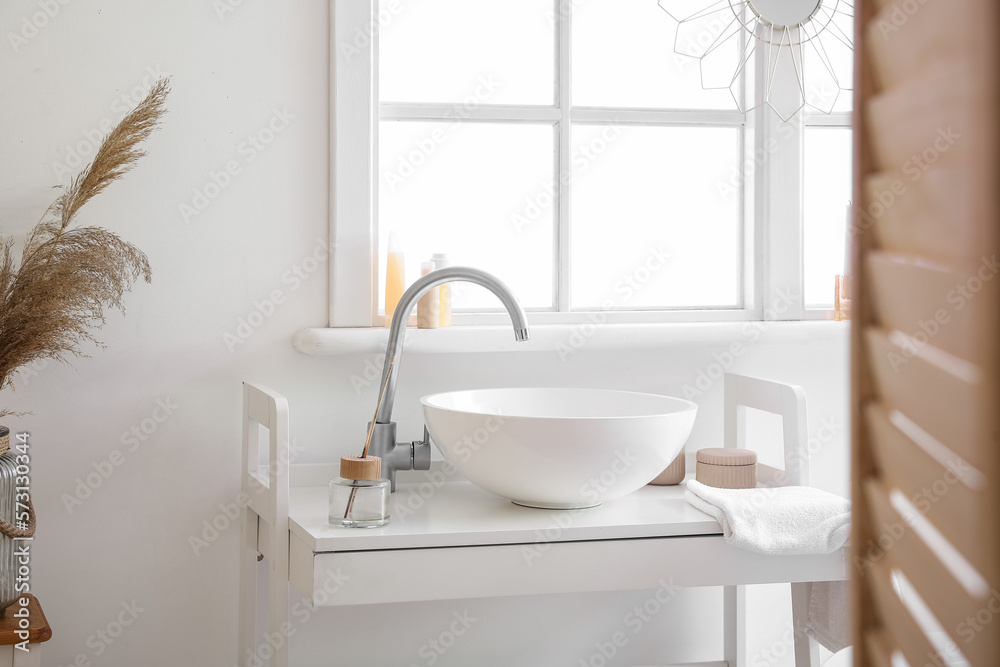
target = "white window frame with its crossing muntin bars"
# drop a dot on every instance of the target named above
(771, 225)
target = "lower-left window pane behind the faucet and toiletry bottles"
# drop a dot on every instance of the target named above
(456, 188)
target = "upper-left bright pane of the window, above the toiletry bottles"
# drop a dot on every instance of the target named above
(454, 51)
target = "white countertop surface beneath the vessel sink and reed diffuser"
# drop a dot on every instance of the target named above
(461, 514)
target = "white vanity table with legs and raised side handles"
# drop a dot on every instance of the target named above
(451, 540)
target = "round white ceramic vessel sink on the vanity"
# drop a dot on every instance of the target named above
(558, 448)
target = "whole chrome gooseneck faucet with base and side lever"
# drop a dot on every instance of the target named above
(416, 455)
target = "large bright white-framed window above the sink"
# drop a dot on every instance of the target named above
(564, 147)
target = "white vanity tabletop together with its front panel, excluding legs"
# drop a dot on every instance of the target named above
(463, 542)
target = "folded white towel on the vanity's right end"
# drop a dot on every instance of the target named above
(786, 520)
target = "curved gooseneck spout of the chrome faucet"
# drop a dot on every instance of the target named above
(406, 302)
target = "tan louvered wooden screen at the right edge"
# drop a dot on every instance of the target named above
(925, 405)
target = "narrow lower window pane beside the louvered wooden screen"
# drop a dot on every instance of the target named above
(827, 194)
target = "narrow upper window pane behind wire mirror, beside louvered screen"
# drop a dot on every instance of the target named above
(829, 60)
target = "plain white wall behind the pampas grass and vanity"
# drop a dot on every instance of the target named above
(128, 541)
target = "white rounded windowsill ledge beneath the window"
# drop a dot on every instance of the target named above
(563, 337)
